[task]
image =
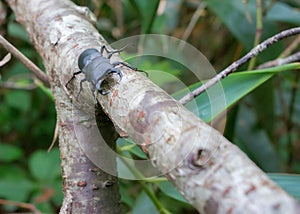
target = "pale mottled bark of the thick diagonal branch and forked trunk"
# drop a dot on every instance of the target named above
(212, 174)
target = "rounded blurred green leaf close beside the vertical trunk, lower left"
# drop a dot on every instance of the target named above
(45, 166)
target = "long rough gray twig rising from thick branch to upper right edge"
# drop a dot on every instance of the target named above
(235, 65)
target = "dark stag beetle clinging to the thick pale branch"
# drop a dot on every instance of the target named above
(97, 68)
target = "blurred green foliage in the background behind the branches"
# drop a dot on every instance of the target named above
(265, 124)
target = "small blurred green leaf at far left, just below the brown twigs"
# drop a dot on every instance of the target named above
(20, 100)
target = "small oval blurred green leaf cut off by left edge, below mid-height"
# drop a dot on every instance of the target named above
(9, 153)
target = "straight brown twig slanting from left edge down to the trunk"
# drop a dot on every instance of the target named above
(30, 65)
